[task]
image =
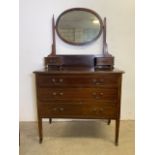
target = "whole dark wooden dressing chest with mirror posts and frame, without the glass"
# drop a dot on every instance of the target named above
(79, 86)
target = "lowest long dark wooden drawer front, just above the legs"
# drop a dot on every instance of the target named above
(76, 110)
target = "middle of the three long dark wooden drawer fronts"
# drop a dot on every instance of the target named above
(48, 94)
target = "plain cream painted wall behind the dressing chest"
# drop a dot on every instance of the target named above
(35, 43)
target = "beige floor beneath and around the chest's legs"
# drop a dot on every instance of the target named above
(76, 138)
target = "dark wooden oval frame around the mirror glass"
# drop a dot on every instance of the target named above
(85, 10)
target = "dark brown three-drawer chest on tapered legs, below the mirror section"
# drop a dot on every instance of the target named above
(78, 94)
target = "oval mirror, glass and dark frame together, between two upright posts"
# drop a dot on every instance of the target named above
(79, 26)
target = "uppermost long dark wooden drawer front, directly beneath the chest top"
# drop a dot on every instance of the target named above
(77, 80)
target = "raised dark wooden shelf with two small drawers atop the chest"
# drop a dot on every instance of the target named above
(58, 62)
